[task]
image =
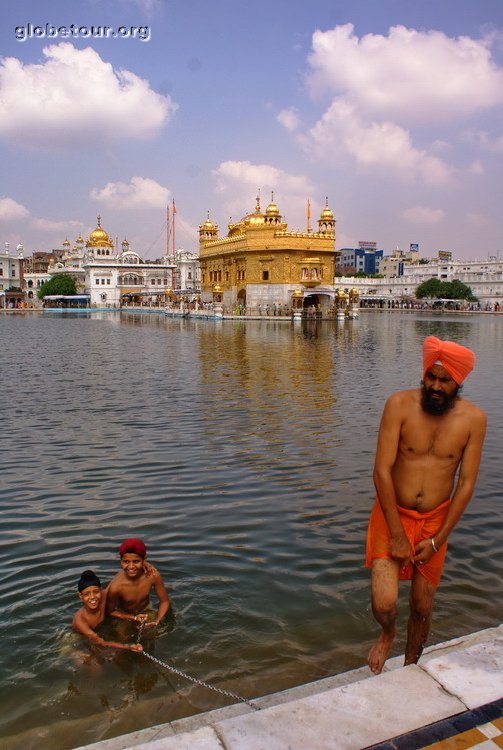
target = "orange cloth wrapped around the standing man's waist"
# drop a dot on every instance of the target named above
(417, 526)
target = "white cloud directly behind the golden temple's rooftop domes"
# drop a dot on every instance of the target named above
(239, 181)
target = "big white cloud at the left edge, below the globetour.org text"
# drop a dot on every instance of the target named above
(75, 99)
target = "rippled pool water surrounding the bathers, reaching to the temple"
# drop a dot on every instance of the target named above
(241, 452)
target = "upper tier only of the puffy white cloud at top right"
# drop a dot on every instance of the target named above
(409, 75)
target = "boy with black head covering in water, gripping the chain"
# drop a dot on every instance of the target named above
(92, 614)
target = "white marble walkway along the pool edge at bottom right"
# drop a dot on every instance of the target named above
(452, 700)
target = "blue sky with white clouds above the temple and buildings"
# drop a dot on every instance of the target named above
(390, 109)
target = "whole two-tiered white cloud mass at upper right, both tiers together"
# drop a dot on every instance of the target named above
(384, 88)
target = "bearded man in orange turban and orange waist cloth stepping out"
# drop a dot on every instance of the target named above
(426, 435)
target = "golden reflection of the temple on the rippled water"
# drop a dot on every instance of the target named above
(280, 387)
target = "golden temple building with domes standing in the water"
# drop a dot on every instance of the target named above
(262, 265)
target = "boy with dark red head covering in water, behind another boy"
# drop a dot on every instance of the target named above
(128, 595)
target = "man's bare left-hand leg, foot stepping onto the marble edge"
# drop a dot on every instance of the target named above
(384, 599)
